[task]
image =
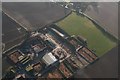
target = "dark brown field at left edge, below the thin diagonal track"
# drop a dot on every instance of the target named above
(12, 33)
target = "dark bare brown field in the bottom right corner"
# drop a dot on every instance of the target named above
(105, 67)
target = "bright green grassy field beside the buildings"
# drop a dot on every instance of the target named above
(77, 25)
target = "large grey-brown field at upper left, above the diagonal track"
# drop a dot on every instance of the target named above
(34, 15)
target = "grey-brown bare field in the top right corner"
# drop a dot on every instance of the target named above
(106, 14)
